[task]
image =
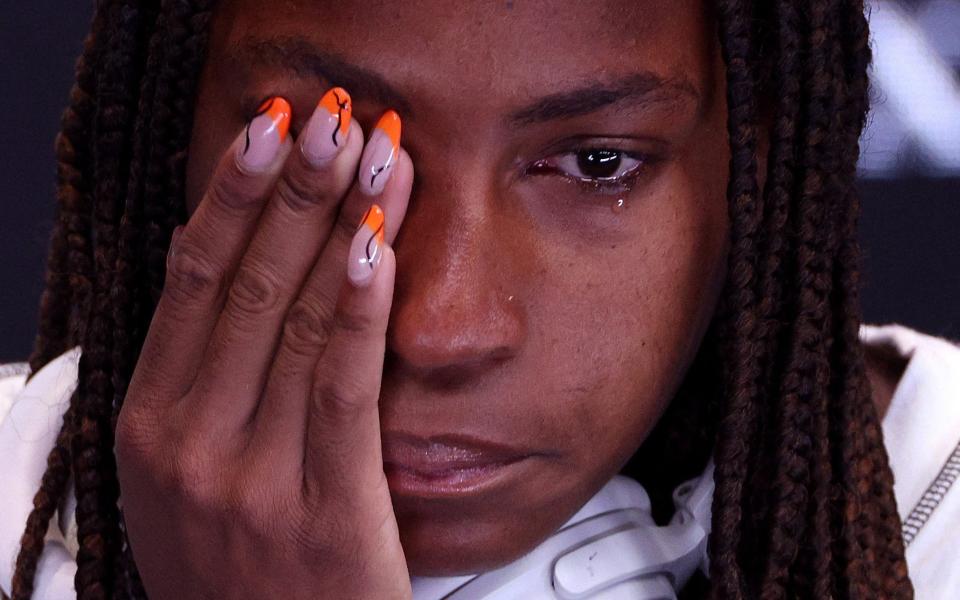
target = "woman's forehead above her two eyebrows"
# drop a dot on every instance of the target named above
(515, 47)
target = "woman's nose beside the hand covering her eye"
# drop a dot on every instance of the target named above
(457, 312)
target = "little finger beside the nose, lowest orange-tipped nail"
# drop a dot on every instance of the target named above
(343, 424)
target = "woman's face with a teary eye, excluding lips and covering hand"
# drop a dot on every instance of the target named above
(531, 309)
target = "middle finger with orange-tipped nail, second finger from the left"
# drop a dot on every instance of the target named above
(290, 235)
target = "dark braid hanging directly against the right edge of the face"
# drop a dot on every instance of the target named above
(738, 426)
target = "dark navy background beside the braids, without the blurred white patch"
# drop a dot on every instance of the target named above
(909, 226)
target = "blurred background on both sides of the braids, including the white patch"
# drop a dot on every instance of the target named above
(910, 167)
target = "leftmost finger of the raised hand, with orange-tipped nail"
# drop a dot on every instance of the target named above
(201, 262)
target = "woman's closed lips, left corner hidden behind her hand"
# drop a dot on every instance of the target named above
(448, 466)
